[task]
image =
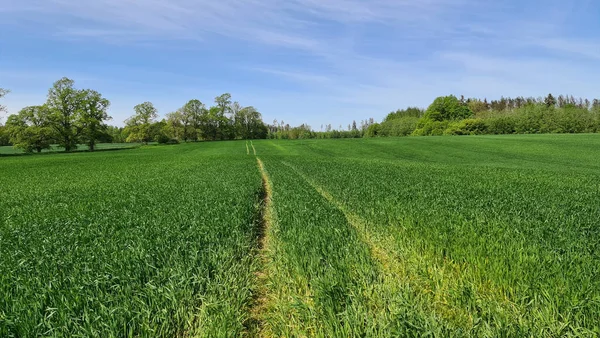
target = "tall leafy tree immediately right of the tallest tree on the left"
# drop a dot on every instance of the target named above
(92, 116)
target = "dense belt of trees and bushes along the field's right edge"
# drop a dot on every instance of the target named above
(449, 115)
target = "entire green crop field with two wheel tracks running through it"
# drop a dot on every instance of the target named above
(485, 236)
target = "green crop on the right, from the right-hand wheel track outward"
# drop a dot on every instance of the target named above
(494, 236)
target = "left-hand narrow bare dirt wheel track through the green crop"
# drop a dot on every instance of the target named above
(255, 325)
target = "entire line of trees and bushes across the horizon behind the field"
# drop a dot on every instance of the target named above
(71, 117)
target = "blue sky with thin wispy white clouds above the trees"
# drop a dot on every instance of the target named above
(301, 61)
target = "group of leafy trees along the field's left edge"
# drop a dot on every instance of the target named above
(71, 117)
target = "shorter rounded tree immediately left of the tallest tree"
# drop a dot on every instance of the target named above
(30, 129)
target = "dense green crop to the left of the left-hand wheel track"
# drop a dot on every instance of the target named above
(150, 242)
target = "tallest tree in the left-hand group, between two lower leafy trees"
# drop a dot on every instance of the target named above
(64, 103)
